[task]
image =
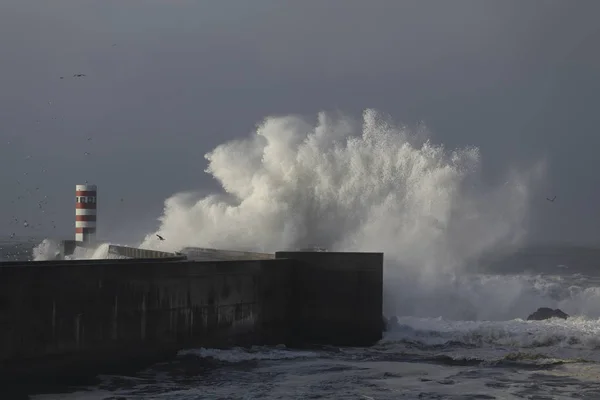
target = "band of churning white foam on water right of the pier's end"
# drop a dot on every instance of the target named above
(575, 332)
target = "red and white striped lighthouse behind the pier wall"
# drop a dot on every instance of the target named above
(85, 213)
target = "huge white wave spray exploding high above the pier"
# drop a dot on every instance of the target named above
(346, 186)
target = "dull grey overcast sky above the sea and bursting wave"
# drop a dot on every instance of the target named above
(166, 81)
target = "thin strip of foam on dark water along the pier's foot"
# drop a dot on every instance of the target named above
(256, 353)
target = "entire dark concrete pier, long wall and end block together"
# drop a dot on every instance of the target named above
(80, 318)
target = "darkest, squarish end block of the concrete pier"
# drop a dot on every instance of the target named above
(336, 297)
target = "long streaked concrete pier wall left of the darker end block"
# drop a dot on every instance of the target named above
(79, 317)
